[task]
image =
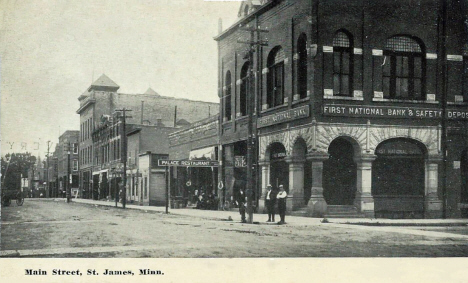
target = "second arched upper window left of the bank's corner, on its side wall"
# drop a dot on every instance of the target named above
(275, 78)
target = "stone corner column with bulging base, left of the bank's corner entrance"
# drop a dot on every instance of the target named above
(317, 206)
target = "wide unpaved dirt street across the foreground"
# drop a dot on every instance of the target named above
(45, 228)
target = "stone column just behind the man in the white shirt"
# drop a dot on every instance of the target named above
(296, 184)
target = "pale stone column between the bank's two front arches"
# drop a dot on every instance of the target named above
(364, 201)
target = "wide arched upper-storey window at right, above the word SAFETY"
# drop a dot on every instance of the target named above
(404, 69)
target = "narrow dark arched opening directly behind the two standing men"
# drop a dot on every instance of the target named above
(279, 169)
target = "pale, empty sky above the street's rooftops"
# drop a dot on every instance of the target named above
(51, 50)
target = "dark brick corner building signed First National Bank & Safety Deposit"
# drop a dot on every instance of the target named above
(352, 100)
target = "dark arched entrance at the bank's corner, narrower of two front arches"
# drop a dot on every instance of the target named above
(339, 173)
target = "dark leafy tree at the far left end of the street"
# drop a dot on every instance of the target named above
(18, 164)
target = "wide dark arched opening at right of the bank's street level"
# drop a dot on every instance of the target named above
(398, 179)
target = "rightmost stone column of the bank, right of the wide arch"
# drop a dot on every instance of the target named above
(432, 203)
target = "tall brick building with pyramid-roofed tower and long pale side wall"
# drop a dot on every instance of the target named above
(100, 134)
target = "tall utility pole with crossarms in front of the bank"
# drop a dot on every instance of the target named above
(254, 44)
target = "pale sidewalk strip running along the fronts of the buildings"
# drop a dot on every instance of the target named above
(291, 220)
